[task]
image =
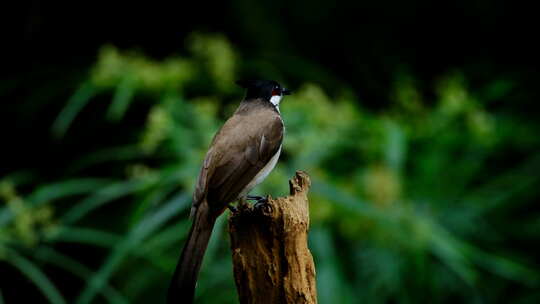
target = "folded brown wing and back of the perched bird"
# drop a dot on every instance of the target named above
(242, 147)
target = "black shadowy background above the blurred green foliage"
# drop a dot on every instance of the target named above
(363, 44)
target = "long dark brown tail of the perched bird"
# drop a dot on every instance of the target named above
(182, 287)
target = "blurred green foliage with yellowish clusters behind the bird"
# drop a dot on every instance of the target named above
(406, 205)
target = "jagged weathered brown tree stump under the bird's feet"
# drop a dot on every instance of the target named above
(271, 260)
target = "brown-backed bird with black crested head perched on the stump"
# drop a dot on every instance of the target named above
(242, 154)
